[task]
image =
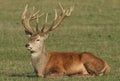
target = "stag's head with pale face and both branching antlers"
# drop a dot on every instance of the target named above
(36, 39)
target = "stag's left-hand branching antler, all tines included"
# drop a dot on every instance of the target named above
(26, 21)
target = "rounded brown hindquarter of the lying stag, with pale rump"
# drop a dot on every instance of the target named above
(94, 64)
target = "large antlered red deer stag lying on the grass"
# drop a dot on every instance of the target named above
(57, 64)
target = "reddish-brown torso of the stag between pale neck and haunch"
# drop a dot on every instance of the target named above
(66, 64)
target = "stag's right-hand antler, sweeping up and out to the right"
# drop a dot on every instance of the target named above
(57, 20)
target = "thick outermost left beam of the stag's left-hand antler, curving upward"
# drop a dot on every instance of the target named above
(25, 22)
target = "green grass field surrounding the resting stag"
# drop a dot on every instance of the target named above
(94, 26)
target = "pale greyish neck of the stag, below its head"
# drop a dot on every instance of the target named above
(39, 60)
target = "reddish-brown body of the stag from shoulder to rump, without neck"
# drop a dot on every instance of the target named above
(61, 64)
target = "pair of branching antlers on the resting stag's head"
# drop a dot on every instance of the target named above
(57, 20)
